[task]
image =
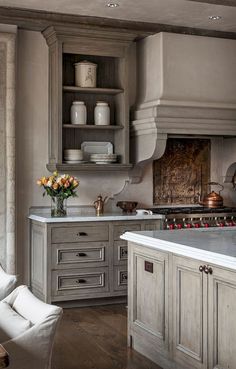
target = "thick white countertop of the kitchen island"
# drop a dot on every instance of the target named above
(212, 245)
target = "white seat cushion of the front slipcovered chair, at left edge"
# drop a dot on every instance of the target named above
(11, 323)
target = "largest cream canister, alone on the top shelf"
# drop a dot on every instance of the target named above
(85, 74)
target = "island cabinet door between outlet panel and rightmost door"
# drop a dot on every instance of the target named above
(189, 313)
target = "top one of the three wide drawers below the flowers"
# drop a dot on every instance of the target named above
(80, 234)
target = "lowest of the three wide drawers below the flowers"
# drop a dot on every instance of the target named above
(80, 282)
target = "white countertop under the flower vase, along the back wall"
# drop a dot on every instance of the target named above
(46, 218)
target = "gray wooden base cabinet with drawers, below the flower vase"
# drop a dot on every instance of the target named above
(81, 260)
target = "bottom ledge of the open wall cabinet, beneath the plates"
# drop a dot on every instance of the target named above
(87, 167)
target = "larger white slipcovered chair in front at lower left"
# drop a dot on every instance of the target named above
(27, 329)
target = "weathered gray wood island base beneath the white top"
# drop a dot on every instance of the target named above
(181, 310)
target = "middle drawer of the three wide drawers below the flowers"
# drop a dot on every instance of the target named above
(65, 255)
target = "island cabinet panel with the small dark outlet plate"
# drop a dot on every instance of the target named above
(148, 299)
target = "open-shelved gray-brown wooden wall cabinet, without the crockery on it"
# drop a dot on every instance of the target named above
(110, 52)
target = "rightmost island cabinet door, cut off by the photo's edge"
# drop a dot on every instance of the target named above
(222, 318)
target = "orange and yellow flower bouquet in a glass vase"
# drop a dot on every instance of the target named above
(59, 188)
